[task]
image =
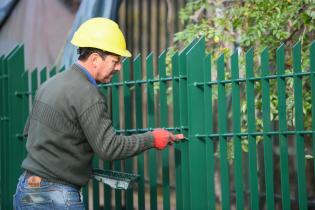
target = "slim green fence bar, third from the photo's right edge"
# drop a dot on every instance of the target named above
(281, 85)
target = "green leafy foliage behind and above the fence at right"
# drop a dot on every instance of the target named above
(238, 25)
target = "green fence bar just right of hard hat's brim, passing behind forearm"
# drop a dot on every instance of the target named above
(139, 124)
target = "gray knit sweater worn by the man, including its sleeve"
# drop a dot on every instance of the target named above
(70, 122)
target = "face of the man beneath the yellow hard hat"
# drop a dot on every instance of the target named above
(107, 67)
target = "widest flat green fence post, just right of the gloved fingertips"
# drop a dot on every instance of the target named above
(197, 152)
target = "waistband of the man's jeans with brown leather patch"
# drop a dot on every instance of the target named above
(34, 180)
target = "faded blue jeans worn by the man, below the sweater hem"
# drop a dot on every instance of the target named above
(47, 196)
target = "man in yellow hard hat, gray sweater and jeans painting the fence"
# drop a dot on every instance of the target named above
(70, 122)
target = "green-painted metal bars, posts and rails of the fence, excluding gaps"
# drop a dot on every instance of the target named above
(193, 97)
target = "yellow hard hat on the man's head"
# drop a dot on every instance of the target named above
(101, 33)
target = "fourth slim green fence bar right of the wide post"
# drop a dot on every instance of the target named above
(251, 124)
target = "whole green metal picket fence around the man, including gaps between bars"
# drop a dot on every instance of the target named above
(204, 100)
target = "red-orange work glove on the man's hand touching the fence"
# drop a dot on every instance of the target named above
(162, 138)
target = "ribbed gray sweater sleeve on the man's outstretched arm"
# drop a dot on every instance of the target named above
(101, 135)
